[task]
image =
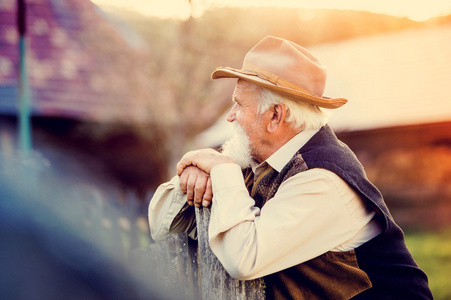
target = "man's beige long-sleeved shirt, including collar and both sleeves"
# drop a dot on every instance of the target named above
(312, 212)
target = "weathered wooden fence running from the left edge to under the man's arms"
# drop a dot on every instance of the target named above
(109, 218)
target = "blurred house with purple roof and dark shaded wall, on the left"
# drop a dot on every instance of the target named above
(88, 90)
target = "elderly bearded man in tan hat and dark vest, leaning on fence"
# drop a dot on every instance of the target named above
(289, 202)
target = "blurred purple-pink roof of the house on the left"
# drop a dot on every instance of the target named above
(79, 65)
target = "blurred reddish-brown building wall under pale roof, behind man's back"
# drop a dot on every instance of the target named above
(411, 165)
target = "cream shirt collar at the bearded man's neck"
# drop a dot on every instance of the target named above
(282, 156)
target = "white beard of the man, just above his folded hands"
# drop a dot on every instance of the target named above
(238, 147)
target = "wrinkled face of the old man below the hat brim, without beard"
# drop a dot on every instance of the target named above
(244, 112)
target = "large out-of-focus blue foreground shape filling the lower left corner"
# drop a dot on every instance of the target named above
(59, 243)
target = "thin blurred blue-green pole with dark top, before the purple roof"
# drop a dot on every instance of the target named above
(24, 95)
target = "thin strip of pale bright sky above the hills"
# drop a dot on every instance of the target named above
(415, 10)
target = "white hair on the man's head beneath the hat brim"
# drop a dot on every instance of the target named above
(301, 115)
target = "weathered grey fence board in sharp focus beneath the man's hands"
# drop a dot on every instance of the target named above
(215, 282)
